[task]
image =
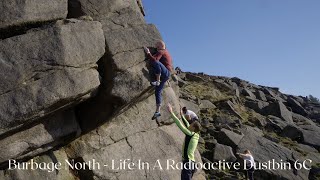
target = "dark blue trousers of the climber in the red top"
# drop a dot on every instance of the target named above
(159, 68)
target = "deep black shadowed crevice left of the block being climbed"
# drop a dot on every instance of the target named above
(104, 106)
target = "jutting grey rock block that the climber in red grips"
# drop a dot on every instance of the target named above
(131, 75)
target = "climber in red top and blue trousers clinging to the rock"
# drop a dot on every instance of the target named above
(161, 64)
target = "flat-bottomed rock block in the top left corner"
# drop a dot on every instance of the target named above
(18, 13)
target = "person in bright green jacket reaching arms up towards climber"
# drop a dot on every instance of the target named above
(190, 143)
